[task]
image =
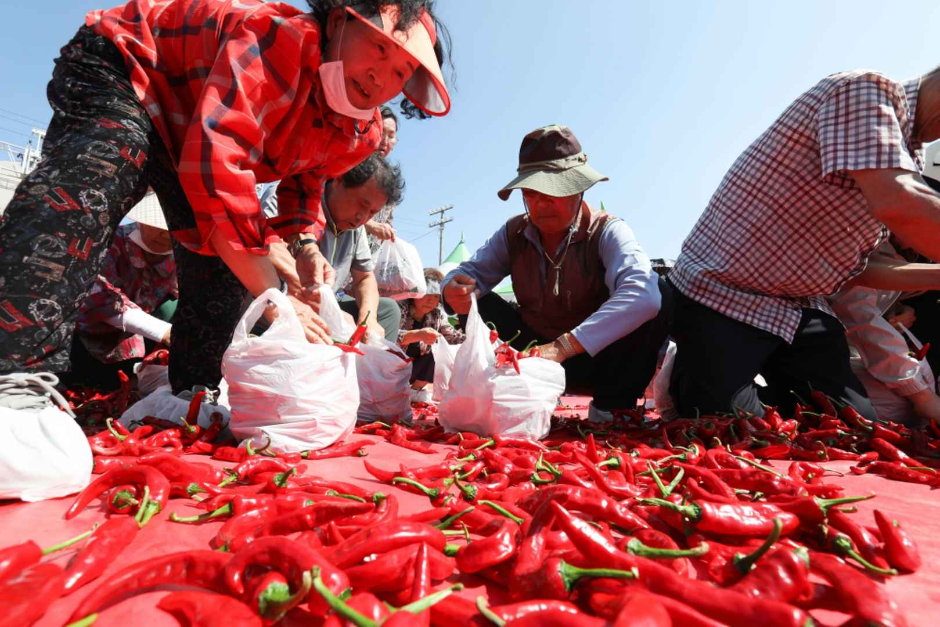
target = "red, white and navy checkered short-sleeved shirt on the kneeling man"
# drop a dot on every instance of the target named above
(788, 224)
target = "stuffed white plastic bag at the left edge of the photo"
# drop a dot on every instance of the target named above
(42, 456)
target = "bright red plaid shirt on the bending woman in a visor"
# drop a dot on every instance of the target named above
(233, 90)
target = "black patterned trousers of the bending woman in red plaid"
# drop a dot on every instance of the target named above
(100, 155)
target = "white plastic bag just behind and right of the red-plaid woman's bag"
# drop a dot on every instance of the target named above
(384, 390)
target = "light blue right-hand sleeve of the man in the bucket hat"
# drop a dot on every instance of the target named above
(634, 290)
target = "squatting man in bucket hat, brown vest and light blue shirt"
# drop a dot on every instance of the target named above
(587, 292)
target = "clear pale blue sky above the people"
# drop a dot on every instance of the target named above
(663, 96)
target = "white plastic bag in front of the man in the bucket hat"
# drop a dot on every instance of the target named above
(488, 400)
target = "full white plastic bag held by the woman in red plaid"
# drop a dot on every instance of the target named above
(302, 395)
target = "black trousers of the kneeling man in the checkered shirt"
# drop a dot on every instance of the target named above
(717, 359)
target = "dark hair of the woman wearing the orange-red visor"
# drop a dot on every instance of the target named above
(410, 11)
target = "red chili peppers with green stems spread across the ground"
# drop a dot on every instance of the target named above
(682, 523)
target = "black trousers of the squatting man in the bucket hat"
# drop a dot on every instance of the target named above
(616, 377)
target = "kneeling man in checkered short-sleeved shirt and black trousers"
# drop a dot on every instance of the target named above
(794, 219)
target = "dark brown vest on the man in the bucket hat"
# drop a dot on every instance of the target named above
(581, 289)
